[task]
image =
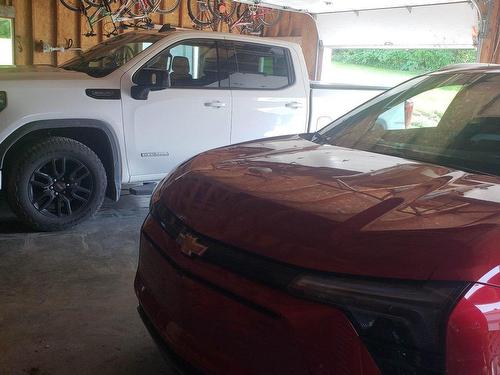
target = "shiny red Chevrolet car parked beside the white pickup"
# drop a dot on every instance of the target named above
(369, 247)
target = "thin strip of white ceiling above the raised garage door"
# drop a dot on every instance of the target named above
(333, 6)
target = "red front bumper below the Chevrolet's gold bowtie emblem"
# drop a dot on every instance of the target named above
(222, 323)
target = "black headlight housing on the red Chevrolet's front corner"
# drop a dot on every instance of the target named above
(402, 323)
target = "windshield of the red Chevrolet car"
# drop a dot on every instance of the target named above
(446, 119)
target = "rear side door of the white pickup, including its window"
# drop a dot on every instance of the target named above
(270, 97)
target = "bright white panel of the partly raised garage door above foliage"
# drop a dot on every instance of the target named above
(439, 26)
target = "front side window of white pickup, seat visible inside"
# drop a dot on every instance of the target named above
(191, 63)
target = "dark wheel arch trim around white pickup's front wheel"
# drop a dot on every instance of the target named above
(95, 134)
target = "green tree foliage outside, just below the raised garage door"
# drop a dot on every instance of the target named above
(413, 60)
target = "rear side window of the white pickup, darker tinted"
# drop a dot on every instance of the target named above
(256, 67)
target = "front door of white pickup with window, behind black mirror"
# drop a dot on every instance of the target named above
(190, 116)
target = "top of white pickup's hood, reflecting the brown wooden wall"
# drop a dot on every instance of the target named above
(40, 73)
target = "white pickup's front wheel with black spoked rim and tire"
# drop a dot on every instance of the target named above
(55, 184)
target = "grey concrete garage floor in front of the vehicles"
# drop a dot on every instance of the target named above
(67, 304)
